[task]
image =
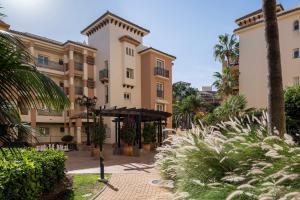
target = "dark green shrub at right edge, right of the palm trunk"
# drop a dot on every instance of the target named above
(292, 111)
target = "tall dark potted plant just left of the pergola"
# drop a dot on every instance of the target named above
(98, 137)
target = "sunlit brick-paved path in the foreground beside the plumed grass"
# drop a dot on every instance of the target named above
(134, 187)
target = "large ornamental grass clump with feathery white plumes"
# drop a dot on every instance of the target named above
(232, 160)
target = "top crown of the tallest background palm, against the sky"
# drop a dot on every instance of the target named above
(227, 50)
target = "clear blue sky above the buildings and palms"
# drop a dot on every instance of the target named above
(187, 29)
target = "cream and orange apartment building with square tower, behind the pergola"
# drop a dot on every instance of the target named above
(114, 66)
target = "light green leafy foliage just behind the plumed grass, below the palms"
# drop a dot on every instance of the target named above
(232, 107)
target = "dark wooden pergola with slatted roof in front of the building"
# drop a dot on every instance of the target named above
(140, 115)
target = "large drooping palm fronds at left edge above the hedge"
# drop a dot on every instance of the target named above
(22, 84)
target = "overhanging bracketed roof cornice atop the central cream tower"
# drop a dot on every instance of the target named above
(109, 17)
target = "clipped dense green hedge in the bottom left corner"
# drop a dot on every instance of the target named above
(29, 173)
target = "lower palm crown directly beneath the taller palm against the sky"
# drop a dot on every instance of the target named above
(225, 83)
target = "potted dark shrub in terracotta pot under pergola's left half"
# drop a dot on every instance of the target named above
(128, 136)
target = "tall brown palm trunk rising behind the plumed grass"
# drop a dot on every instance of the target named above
(275, 90)
